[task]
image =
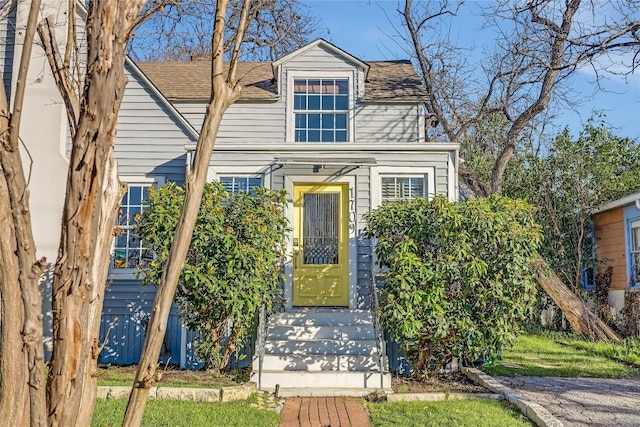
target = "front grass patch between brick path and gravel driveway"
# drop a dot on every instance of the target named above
(459, 413)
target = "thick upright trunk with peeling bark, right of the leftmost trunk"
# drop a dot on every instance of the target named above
(93, 193)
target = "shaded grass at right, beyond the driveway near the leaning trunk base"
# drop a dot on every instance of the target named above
(541, 356)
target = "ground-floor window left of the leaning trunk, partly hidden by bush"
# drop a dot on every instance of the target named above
(128, 251)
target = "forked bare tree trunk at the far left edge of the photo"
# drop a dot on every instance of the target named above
(21, 349)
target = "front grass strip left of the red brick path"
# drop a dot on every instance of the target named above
(173, 413)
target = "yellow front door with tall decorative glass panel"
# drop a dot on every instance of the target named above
(320, 245)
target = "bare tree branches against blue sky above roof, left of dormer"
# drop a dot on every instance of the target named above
(182, 31)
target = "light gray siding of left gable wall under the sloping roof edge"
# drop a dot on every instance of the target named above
(150, 140)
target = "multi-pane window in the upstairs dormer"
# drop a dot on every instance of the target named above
(321, 109)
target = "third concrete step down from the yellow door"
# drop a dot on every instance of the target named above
(315, 347)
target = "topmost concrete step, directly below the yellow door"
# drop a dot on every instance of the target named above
(322, 317)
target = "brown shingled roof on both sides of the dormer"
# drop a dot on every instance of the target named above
(387, 81)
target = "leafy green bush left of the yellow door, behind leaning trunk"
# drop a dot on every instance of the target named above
(232, 267)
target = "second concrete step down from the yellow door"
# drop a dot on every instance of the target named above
(305, 333)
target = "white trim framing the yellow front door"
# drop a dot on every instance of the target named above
(290, 180)
